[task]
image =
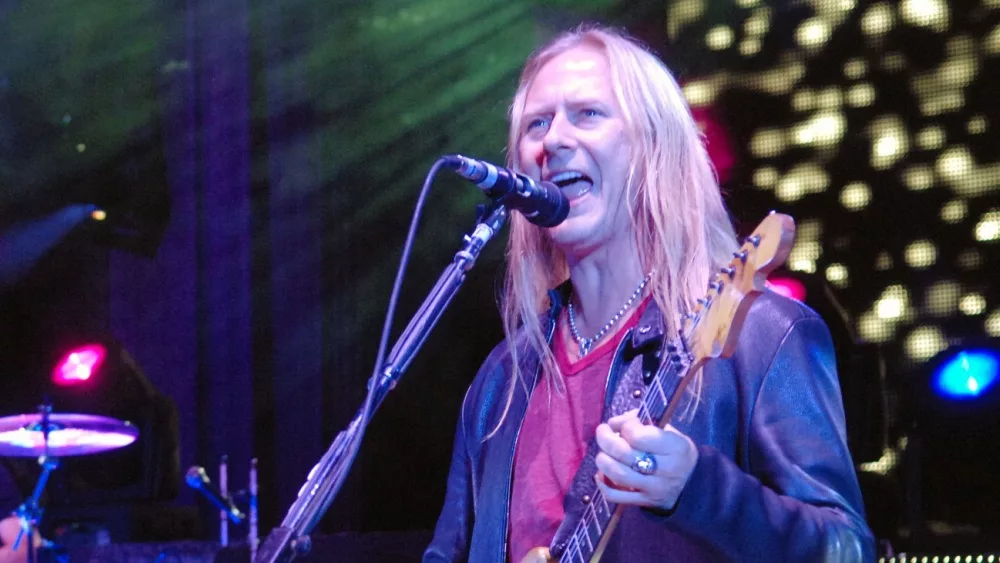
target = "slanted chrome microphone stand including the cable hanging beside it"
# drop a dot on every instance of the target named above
(291, 538)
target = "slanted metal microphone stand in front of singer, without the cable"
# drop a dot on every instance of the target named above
(291, 539)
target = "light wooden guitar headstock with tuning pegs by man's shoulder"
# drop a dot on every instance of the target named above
(714, 325)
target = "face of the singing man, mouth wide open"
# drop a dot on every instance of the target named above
(573, 134)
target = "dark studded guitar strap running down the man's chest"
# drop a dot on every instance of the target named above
(640, 358)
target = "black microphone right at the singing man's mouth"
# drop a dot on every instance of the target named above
(542, 203)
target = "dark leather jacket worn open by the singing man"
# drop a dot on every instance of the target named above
(774, 479)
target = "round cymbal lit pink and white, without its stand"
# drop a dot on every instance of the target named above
(69, 434)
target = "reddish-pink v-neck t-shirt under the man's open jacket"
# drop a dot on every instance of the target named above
(554, 437)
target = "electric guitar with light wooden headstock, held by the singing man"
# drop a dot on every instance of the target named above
(710, 330)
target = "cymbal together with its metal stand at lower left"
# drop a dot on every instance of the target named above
(48, 437)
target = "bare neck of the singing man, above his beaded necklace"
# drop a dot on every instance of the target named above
(602, 281)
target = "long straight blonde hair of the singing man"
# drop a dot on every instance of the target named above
(682, 229)
